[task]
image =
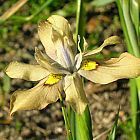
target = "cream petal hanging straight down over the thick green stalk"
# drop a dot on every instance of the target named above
(75, 94)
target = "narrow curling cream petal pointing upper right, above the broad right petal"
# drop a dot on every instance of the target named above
(113, 40)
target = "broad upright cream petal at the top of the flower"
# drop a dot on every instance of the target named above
(46, 34)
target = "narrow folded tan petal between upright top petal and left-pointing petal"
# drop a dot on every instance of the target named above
(48, 63)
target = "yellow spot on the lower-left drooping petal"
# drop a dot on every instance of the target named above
(53, 79)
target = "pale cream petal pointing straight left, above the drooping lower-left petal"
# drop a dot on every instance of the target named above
(26, 71)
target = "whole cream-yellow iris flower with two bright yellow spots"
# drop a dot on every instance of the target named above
(61, 68)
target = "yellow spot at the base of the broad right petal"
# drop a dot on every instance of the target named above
(89, 65)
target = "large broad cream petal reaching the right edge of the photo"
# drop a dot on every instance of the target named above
(126, 66)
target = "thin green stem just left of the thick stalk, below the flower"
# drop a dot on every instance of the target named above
(66, 119)
